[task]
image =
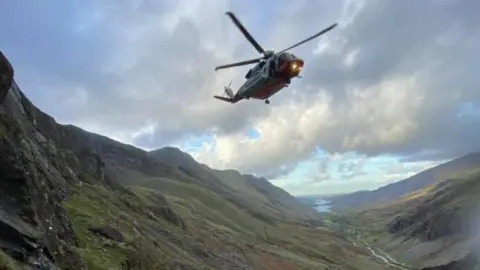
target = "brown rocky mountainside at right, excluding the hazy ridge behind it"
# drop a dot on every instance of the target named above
(435, 228)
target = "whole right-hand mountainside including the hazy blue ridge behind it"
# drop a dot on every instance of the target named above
(430, 220)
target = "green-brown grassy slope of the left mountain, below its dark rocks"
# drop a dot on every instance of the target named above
(214, 227)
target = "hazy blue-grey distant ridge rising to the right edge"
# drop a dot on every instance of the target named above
(395, 190)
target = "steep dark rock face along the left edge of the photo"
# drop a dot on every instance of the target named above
(33, 185)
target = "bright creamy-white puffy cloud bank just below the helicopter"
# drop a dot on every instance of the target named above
(383, 115)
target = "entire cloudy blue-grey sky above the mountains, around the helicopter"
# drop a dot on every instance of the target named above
(391, 91)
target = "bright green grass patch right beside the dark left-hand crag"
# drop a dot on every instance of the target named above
(94, 205)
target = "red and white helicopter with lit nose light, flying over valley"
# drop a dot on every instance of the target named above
(272, 72)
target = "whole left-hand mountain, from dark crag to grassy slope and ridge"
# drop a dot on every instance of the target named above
(72, 199)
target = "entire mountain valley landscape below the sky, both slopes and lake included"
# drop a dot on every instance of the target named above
(72, 199)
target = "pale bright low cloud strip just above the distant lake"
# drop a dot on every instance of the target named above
(337, 173)
